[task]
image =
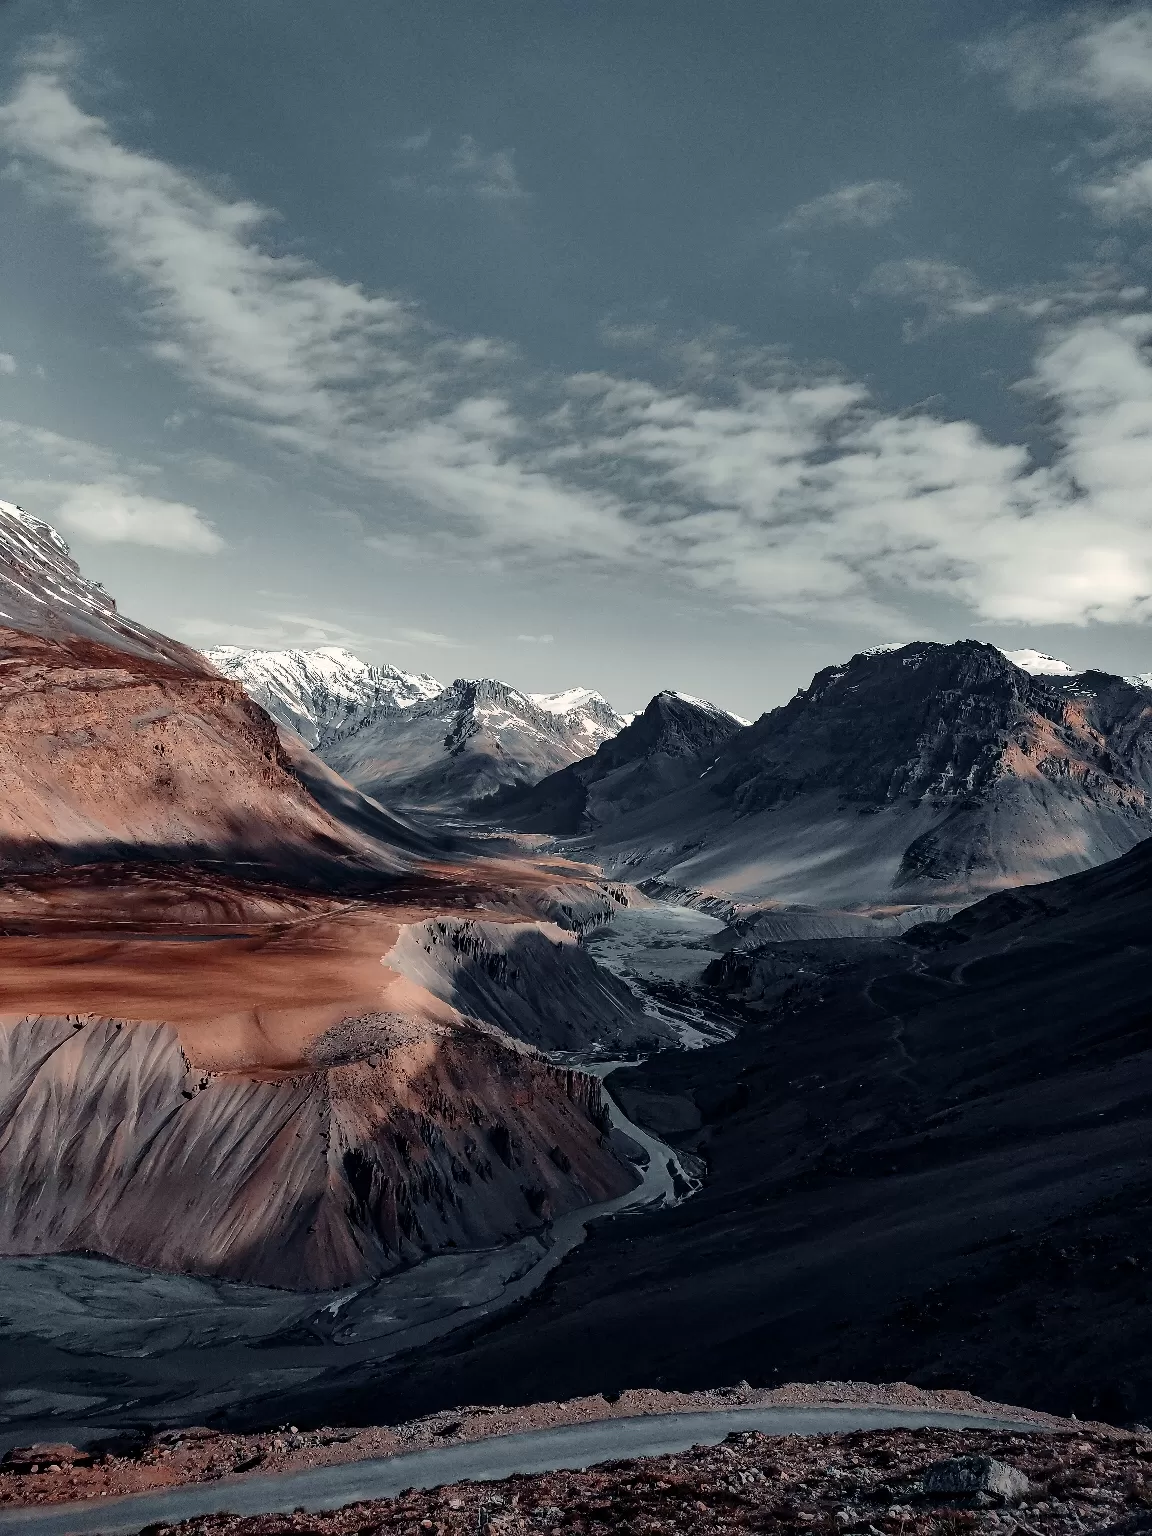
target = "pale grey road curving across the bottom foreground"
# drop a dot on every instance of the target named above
(541, 1451)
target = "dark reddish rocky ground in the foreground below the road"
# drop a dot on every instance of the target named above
(867, 1483)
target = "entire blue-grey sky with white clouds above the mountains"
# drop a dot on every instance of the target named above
(575, 342)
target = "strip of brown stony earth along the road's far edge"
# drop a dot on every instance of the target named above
(200, 1455)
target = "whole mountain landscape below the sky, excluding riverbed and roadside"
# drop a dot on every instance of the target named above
(306, 1018)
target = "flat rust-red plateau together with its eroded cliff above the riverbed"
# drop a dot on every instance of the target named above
(234, 1081)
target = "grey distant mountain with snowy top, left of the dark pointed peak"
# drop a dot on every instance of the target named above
(471, 741)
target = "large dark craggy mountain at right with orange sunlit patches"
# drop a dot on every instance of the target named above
(922, 773)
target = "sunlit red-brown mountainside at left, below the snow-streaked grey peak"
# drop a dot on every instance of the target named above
(113, 756)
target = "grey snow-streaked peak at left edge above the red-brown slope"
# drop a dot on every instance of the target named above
(44, 592)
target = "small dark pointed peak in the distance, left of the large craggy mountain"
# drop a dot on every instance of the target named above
(663, 750)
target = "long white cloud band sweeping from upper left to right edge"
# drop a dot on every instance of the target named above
(793, 494)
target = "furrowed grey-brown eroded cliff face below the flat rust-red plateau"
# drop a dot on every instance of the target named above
(402, 1145)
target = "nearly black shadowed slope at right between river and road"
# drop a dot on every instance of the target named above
(929, 1160)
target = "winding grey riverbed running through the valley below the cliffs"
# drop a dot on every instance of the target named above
(88, 1345)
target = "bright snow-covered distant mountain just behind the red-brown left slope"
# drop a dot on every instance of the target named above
(325, 694)
